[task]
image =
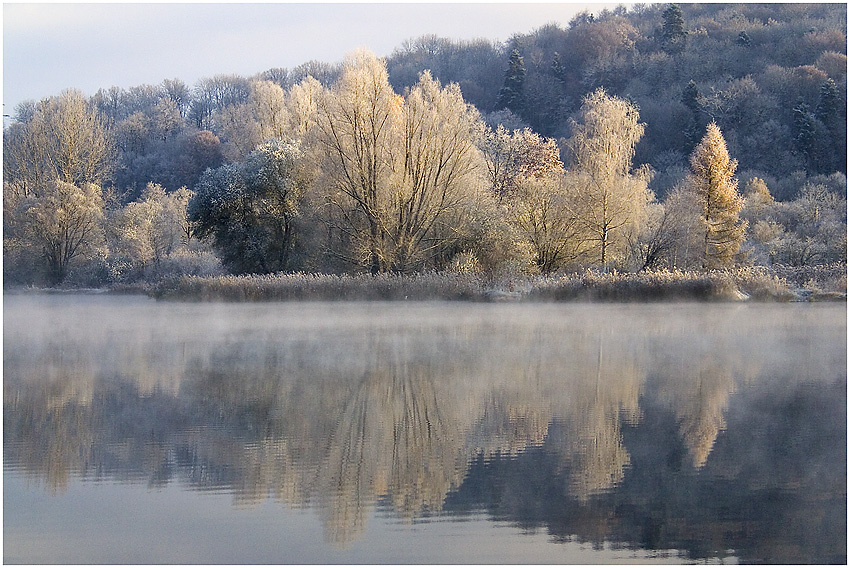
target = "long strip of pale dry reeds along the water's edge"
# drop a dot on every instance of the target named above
(747, 283)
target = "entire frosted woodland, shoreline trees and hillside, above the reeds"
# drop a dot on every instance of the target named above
(654, 136)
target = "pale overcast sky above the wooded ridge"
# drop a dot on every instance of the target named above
(51, 47)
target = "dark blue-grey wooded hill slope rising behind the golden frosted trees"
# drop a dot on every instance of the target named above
(773, 77)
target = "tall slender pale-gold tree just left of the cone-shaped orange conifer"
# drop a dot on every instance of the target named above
(610, 199)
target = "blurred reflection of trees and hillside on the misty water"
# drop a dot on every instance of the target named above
(418, 412)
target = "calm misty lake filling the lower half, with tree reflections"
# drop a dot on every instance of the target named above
(148, 432)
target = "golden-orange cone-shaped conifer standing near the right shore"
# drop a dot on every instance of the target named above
(713, 184)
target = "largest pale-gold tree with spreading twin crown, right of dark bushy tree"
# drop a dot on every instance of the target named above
(396, 170)
